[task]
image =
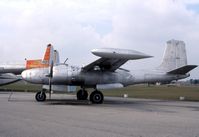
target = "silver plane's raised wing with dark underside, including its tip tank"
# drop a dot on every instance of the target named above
(112, 59)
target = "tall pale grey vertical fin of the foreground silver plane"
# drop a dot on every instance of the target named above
(174, 56)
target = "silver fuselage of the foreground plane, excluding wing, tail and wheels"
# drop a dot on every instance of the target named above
(70, 75)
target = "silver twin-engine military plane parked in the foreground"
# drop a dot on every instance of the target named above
(106, 73)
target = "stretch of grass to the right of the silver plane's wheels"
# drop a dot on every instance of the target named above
(157, 92)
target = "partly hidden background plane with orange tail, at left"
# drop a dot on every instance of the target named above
(9, 72)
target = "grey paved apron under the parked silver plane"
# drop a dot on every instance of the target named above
(63, 116)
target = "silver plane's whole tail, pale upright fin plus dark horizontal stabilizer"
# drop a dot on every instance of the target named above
(175, 58)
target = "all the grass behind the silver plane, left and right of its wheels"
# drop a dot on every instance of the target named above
(191, 93)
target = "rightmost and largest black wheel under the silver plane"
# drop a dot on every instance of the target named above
(97, 97)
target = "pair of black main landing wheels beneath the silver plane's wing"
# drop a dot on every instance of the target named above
(96, 97)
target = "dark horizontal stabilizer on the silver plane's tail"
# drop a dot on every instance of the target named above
(182, 70)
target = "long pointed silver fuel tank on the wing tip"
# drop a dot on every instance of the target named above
(119, 53)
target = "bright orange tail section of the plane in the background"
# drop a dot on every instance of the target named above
(47, 60)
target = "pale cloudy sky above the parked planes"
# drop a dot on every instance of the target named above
(74, 27)
